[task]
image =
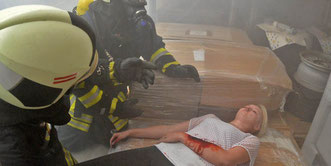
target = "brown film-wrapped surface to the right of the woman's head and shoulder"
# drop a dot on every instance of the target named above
(278, 147)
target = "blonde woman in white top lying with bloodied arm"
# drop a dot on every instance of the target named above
(204, 140)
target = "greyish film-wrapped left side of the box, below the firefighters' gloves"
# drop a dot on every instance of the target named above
(169, 98)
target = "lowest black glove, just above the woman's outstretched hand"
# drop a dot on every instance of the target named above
(127, 109)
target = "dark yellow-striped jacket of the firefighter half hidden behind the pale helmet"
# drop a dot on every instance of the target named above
(98, 97)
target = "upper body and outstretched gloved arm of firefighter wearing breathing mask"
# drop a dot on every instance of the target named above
(124, 29)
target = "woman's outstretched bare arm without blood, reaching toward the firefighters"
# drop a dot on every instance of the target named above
(154, 132)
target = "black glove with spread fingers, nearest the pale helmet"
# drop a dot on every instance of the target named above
(134, 69)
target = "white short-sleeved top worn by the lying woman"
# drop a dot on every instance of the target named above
(210, 129)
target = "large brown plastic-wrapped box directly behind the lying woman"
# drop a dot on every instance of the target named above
(232, 76)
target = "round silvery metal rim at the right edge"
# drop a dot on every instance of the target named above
(314, 70)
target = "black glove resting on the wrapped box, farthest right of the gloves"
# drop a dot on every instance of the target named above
(183, 71)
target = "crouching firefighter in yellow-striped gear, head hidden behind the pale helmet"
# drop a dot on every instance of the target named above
(95, 103)
